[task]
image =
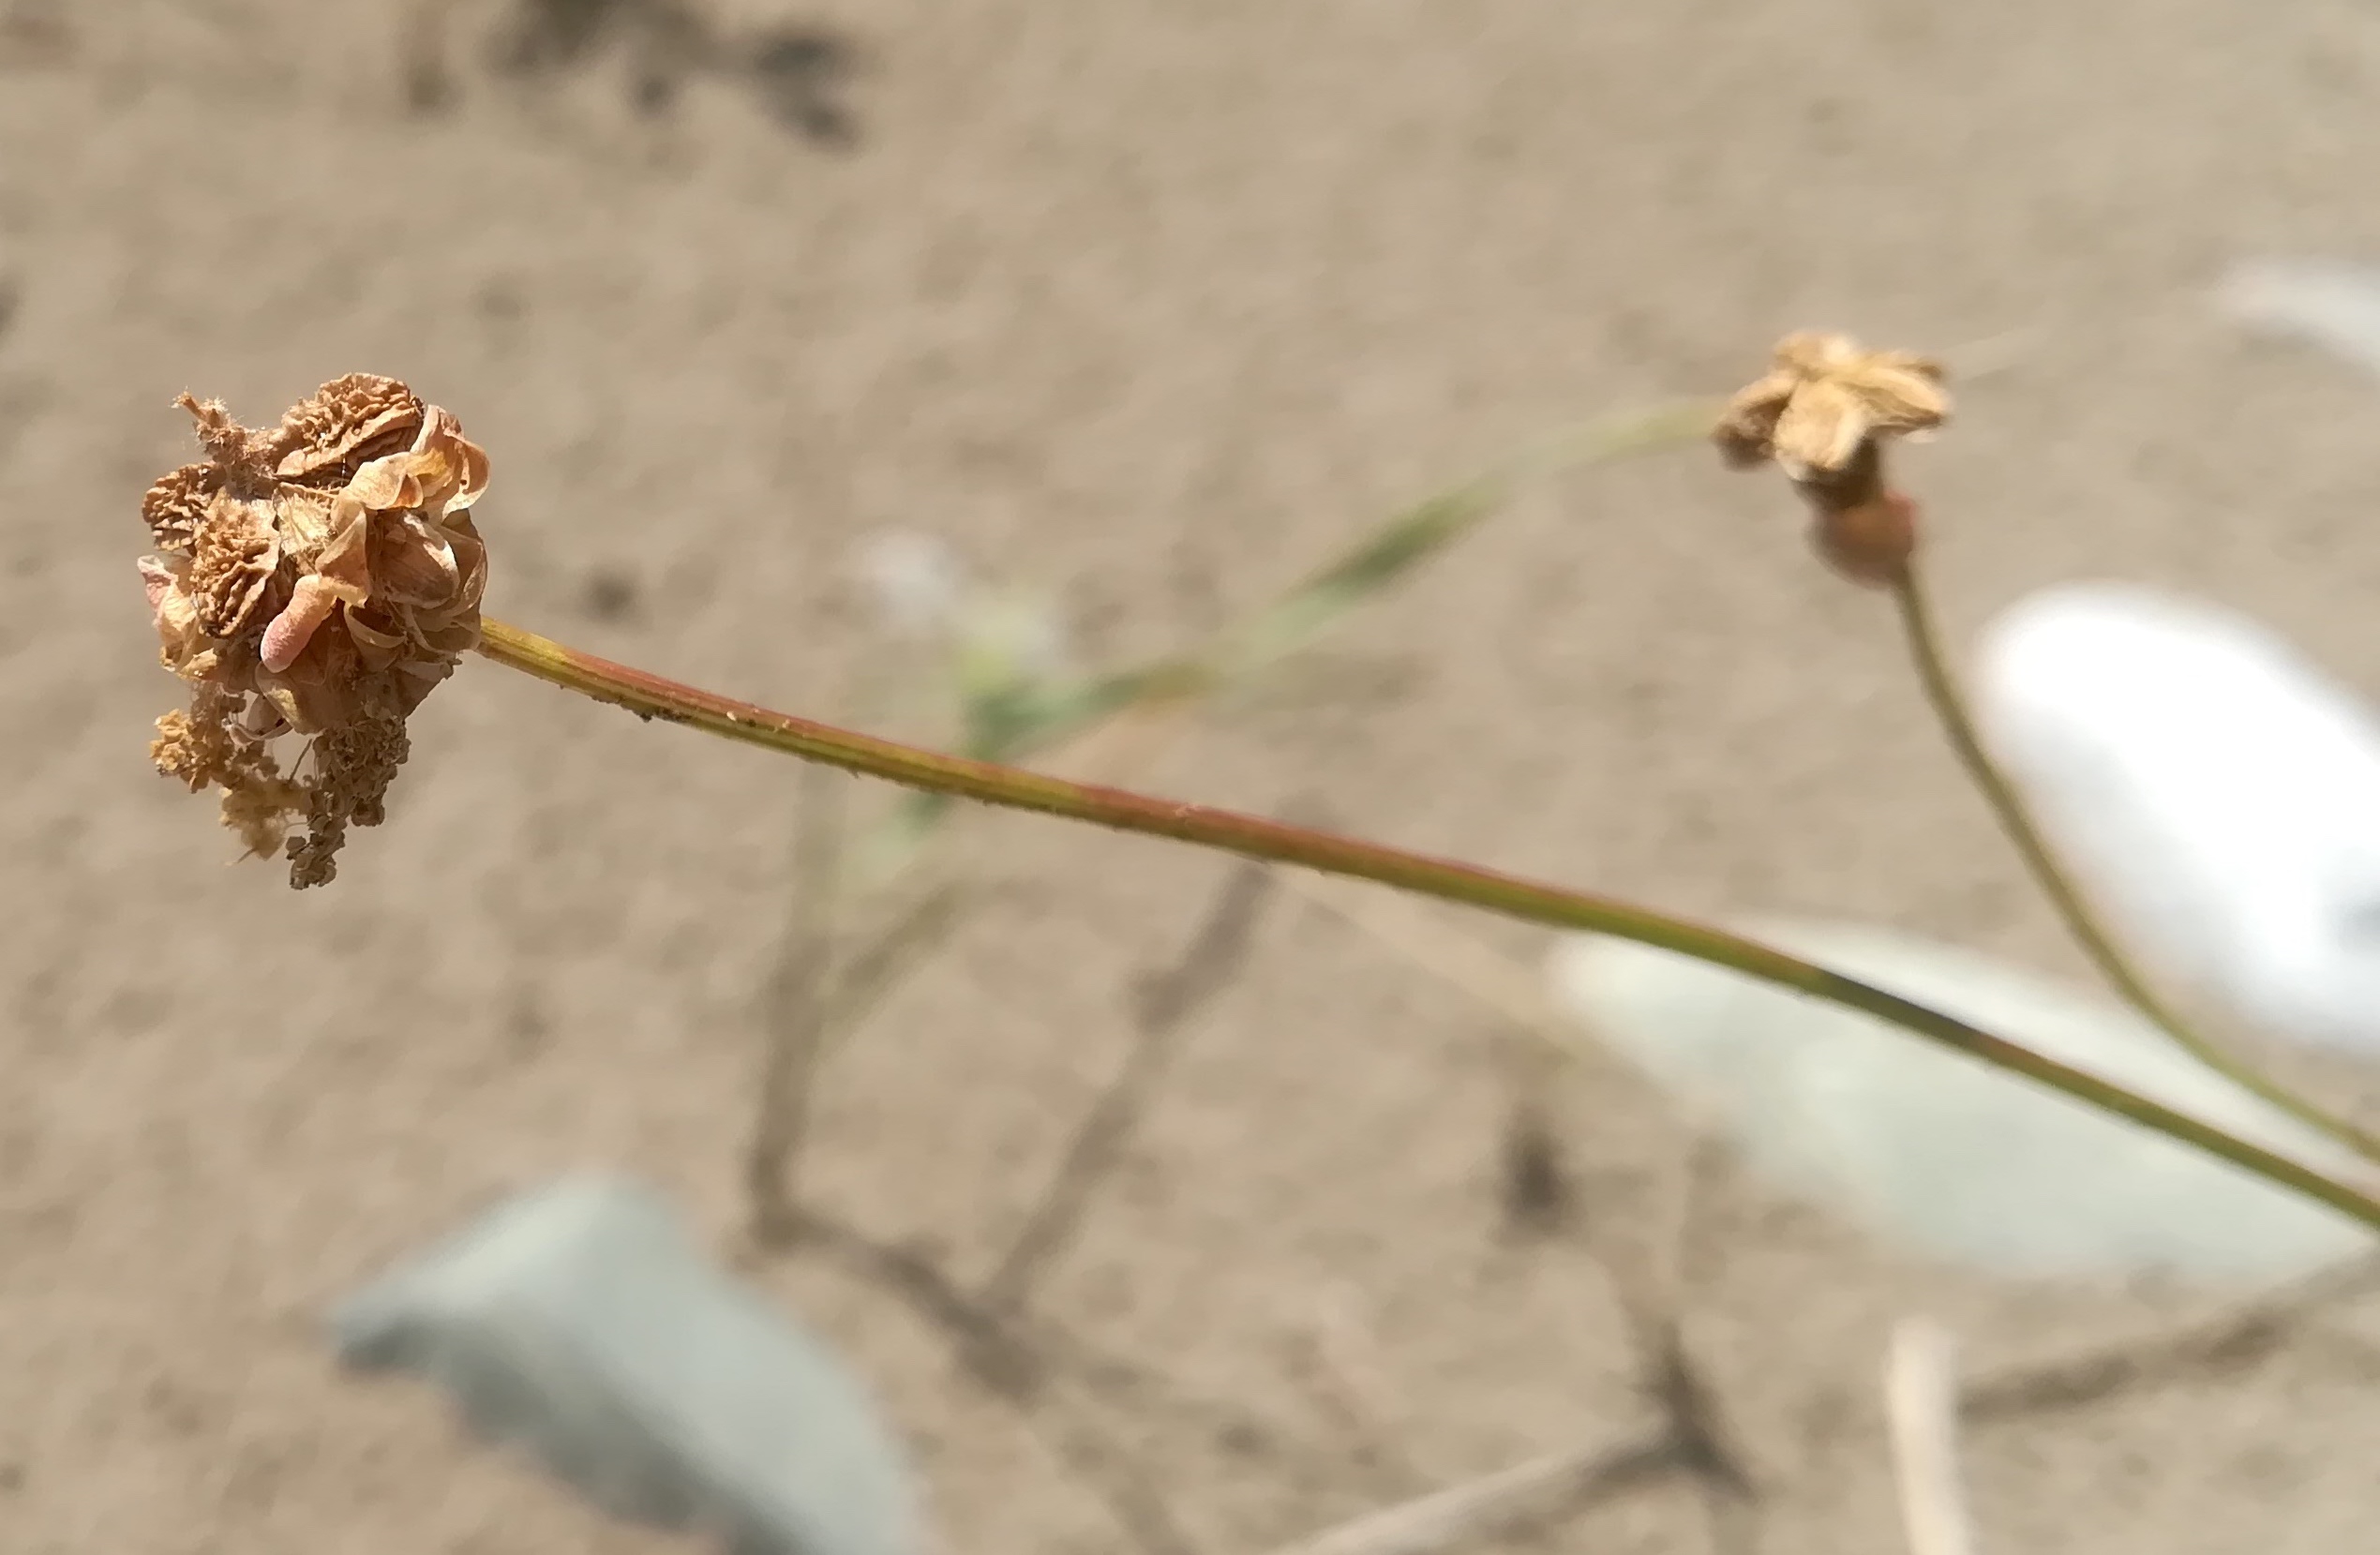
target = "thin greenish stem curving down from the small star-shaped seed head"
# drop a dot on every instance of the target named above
(2065, 897)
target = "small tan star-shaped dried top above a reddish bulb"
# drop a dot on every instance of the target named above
(1824, 401)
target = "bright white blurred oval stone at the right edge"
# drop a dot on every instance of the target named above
(2215, 794)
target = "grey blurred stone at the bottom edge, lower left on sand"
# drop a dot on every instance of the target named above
(584, 1325)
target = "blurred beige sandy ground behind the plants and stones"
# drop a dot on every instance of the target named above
(1151, 306)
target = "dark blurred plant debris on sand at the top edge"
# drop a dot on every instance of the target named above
(796, 73)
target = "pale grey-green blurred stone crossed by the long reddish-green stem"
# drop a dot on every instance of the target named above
(1946, 1154)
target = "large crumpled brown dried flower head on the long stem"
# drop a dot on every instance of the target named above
(313, 580)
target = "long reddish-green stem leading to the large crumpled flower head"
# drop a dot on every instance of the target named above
(1327, 854)
